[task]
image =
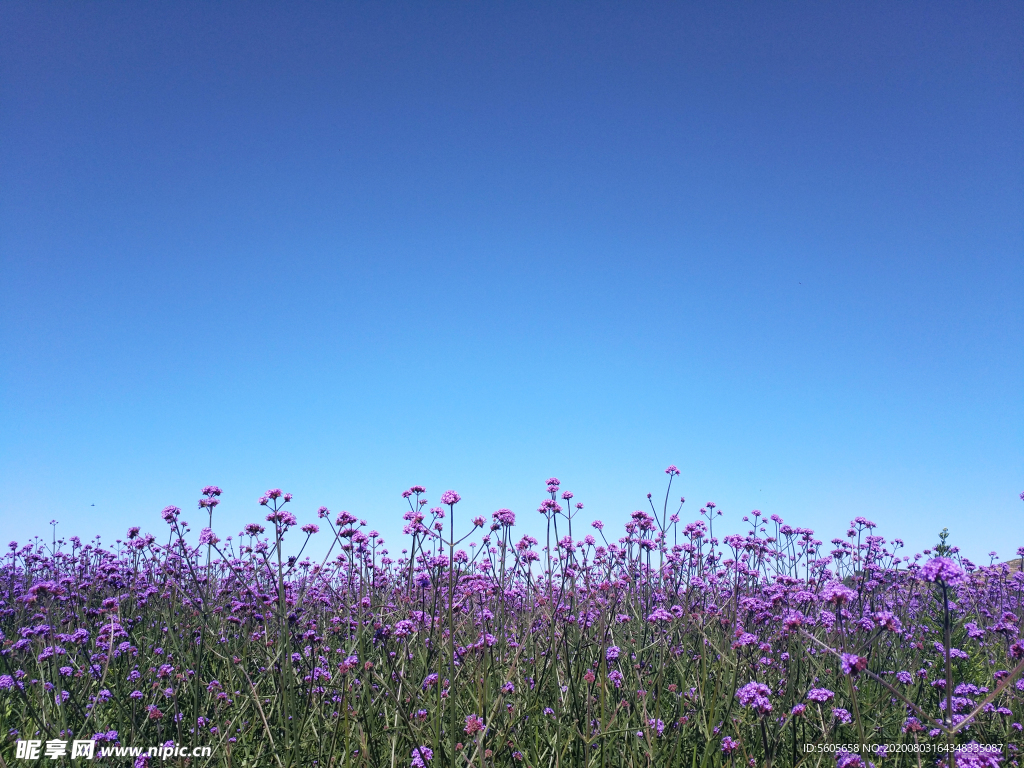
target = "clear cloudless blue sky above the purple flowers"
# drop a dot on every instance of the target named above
(345, 248)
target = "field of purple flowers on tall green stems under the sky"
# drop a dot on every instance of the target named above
(471, 646)
